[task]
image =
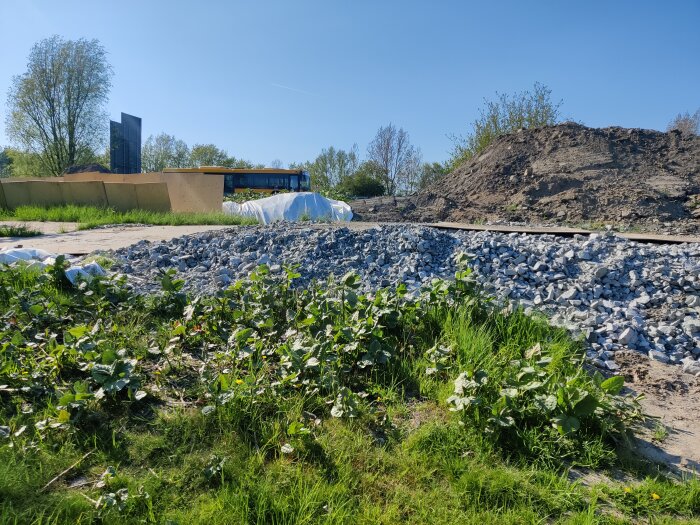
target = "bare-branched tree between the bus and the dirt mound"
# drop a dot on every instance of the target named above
(398, 159)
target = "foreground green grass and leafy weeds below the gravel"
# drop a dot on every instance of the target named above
(237, 423)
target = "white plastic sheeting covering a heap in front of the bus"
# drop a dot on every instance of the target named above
(291, 207)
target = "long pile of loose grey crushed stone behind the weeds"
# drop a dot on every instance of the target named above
(618, 294)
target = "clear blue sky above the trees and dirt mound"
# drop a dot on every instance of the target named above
(282, 79)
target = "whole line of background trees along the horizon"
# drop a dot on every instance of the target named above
(56, 119)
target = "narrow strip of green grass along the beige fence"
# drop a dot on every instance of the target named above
(91, 217)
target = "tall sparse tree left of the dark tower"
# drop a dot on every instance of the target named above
(56, 108)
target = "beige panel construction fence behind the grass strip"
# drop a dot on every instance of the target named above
(178, 192)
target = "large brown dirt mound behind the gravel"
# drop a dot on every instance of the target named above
(566, 173)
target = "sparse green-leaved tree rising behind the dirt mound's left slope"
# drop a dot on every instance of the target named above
(506, 114)
